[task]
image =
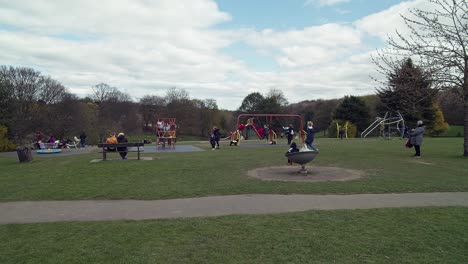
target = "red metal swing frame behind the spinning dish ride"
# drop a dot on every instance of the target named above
(272, 137)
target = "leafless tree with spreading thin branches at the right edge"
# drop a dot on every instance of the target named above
(439, 38)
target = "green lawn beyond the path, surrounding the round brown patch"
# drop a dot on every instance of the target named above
(388, 165)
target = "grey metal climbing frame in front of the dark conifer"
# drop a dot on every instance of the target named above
(386, 124)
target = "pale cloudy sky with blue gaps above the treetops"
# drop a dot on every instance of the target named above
(214, 49)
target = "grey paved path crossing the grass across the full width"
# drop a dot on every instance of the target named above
(104, 210)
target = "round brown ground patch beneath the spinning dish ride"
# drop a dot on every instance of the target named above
(315, 174)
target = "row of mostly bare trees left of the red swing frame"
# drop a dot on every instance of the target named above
(32, 102)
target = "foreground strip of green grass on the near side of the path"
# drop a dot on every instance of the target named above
(412, 235)
